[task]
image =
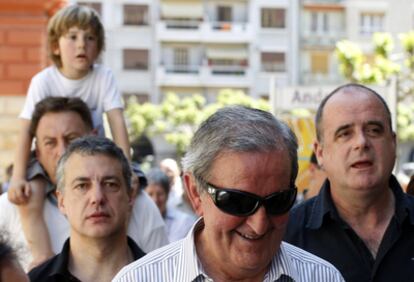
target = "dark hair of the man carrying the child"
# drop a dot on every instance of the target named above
(57, 105)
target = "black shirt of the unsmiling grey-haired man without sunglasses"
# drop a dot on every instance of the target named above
(56, 268)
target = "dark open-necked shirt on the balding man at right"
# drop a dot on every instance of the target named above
(316, 227)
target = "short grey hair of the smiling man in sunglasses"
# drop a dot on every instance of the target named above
(238, 129)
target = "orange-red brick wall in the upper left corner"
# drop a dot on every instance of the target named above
(23, 42)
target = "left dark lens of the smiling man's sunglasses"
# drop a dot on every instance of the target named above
(235, 203)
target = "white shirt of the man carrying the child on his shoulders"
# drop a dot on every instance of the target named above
(146, 226)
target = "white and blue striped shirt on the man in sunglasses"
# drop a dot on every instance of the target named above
(178, 262)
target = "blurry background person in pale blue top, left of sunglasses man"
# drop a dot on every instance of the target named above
(158, 188)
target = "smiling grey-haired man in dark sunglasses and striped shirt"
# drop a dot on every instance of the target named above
(239, 172)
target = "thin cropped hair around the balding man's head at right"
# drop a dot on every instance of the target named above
(346, 88)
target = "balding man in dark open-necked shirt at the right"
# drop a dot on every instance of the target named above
(361, 221)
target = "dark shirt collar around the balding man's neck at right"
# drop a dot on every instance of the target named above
(323, 205)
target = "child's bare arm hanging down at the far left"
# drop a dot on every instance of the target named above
(19, 190)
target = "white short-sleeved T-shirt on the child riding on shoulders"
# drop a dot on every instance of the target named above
(97, 89)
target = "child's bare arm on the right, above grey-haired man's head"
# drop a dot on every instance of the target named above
(119, 131)
